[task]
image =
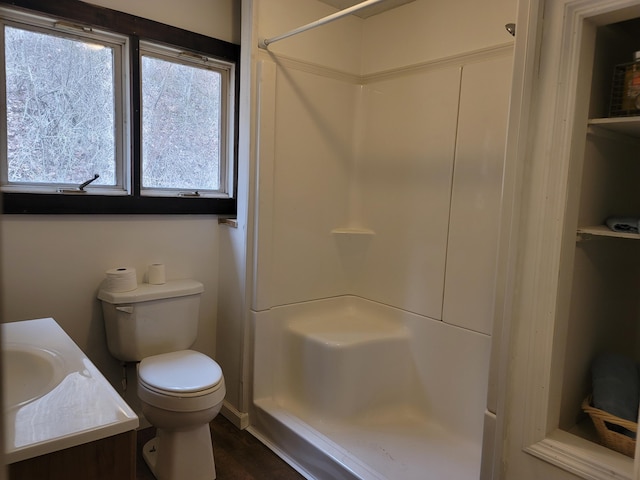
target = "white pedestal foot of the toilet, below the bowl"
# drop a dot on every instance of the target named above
(179, 455)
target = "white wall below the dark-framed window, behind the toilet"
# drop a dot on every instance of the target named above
(52, 266)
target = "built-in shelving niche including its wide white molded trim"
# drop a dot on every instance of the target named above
(570, 300)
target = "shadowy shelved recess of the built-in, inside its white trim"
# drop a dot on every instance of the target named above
(603, 313)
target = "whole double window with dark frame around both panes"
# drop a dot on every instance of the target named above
(114, 114)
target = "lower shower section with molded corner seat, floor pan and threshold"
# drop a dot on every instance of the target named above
(346, 388)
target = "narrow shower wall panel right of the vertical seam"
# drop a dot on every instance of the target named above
(476, 194)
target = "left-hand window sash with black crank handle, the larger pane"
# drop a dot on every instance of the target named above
(62, 123)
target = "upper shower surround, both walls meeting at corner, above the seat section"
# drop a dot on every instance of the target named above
(381, 157)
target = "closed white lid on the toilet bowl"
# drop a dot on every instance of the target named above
(185, 371)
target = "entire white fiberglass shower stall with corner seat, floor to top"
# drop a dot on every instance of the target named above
(379, 158)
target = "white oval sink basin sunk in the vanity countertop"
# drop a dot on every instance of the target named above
(29, 373)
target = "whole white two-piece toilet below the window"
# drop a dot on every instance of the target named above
(180, 390)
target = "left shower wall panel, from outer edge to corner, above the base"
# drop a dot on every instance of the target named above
(304, 186)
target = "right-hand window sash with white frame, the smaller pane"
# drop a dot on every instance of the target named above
(182, 93)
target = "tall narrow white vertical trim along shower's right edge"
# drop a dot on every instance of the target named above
(526, 57)
